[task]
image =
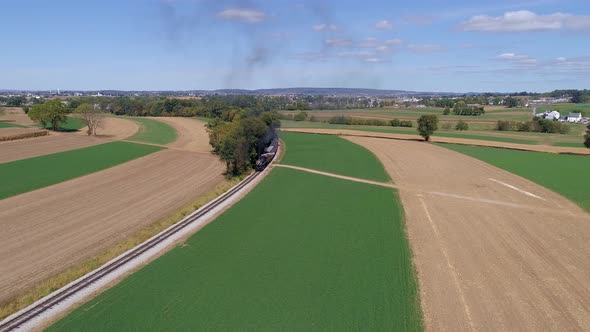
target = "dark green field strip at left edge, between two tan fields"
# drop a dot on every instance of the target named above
(24, 175)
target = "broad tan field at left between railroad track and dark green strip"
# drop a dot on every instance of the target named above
(48, 230)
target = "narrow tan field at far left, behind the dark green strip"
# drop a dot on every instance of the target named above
(115, 128)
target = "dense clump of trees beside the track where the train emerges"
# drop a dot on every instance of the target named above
(240, 141)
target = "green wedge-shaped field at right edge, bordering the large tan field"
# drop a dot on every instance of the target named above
(565, 174)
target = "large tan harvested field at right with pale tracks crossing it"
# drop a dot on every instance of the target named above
(489, 256)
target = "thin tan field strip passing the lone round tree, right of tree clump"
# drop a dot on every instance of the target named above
(464, 141)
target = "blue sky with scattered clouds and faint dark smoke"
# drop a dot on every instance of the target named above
(423, 45)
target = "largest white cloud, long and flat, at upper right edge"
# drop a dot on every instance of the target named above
(524, 21)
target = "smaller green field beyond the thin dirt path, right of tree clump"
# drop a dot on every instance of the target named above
(333, 154)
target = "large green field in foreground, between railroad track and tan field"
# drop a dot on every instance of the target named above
(301, 252)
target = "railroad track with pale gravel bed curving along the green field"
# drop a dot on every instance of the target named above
(17, 320)
